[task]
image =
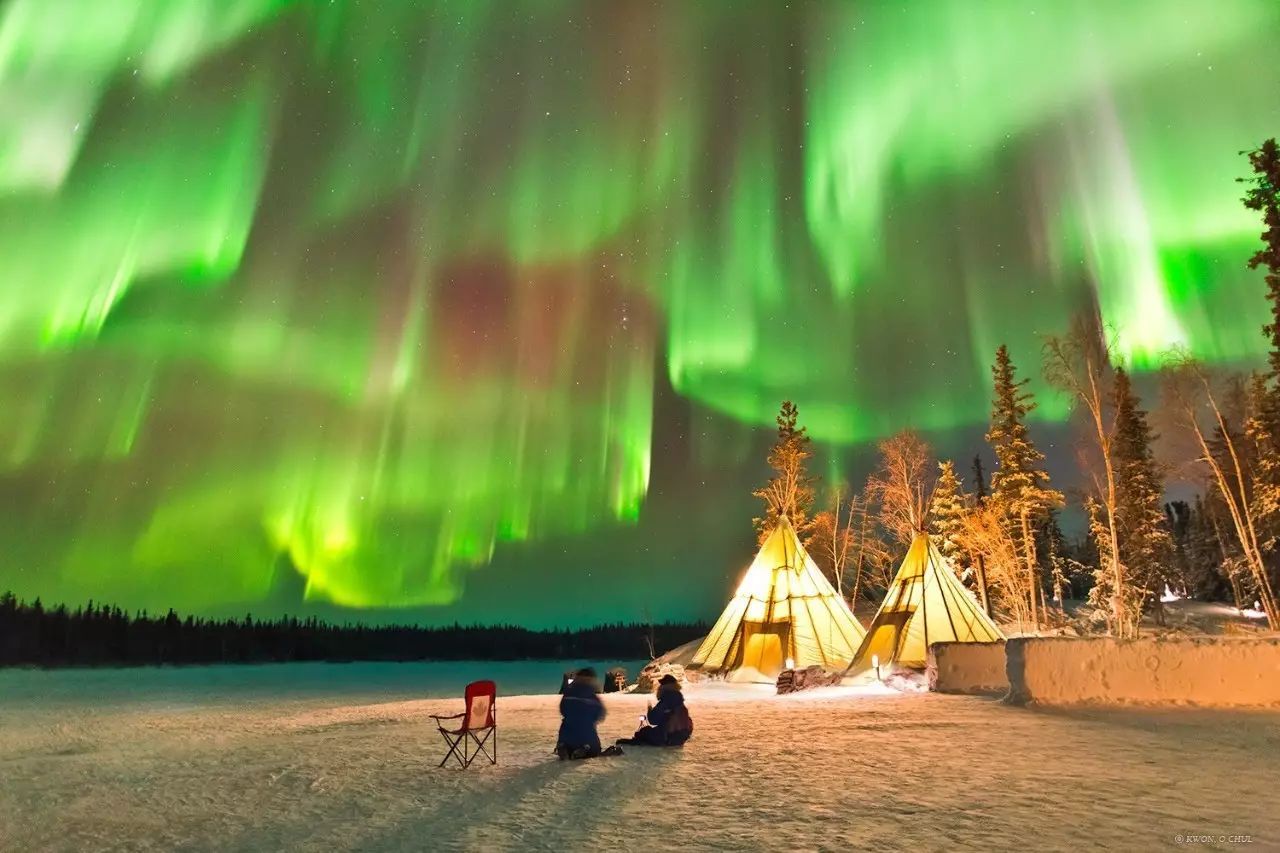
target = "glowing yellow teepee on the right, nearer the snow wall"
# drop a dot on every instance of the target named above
(926, 604)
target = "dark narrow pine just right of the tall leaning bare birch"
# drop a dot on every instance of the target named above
(1146, 548)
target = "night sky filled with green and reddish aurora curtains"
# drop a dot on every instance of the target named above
(337, 302)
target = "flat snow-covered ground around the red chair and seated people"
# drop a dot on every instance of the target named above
(335, 758)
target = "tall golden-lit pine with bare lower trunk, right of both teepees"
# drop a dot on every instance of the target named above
(1020, 487)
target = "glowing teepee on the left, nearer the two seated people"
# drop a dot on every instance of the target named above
(785, 613)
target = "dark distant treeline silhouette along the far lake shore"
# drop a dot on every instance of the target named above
(108, 636)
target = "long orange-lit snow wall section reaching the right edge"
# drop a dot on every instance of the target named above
(1206, 672)
